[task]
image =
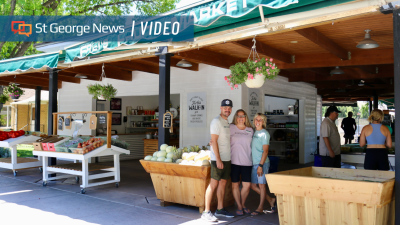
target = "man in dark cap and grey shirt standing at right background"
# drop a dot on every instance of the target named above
(329, 146)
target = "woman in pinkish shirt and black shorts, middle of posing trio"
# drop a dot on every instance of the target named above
(241, 137)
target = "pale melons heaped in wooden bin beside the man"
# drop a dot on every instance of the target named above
(192, 155)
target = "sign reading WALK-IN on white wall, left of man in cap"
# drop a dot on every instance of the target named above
(197, 110)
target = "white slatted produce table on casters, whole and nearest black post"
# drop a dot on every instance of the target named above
(83, 169)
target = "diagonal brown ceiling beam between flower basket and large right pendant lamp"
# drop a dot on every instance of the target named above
(323, 41)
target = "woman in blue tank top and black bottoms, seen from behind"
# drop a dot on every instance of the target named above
(377, 138)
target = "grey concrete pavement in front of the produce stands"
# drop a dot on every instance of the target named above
(23, 200)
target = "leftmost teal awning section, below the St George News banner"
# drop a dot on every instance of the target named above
(32, 62)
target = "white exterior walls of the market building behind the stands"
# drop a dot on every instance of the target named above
(209, 79)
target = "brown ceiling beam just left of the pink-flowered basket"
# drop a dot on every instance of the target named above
(209, 57)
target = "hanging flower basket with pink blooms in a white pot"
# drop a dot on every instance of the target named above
(252, 72)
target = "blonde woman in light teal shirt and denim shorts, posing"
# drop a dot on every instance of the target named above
(259, 151)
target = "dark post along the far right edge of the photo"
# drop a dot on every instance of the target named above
(396, 46)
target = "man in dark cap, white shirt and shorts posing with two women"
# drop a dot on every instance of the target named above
(220, 162)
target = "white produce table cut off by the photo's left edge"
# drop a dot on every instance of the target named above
(15, 163)
